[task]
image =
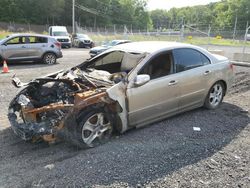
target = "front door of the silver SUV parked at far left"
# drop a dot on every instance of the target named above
(14, 48)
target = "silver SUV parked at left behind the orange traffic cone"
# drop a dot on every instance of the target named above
(30, 47)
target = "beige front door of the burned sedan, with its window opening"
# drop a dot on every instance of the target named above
(159, 96)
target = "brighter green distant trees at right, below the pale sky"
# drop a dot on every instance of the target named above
(221, 15)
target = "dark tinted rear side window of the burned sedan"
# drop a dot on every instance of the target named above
(186, 59)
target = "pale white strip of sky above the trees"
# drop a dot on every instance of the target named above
(168, 4)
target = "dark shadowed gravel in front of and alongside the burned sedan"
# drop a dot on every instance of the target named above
(138, 156)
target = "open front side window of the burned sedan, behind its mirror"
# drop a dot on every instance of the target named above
(159, 66)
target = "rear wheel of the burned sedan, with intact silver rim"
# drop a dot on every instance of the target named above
(215, 96)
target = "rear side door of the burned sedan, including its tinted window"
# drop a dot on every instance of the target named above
(191, 66)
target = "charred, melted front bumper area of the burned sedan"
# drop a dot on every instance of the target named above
(28, 122)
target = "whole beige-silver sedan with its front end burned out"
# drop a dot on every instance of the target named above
(128, 86)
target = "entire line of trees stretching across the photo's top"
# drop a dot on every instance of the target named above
(102, 13)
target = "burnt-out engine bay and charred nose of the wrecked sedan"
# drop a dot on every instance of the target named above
(40, 108)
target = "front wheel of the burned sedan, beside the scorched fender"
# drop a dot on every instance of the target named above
(95, 127)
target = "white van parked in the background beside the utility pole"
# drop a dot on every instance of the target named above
(61, 34)
